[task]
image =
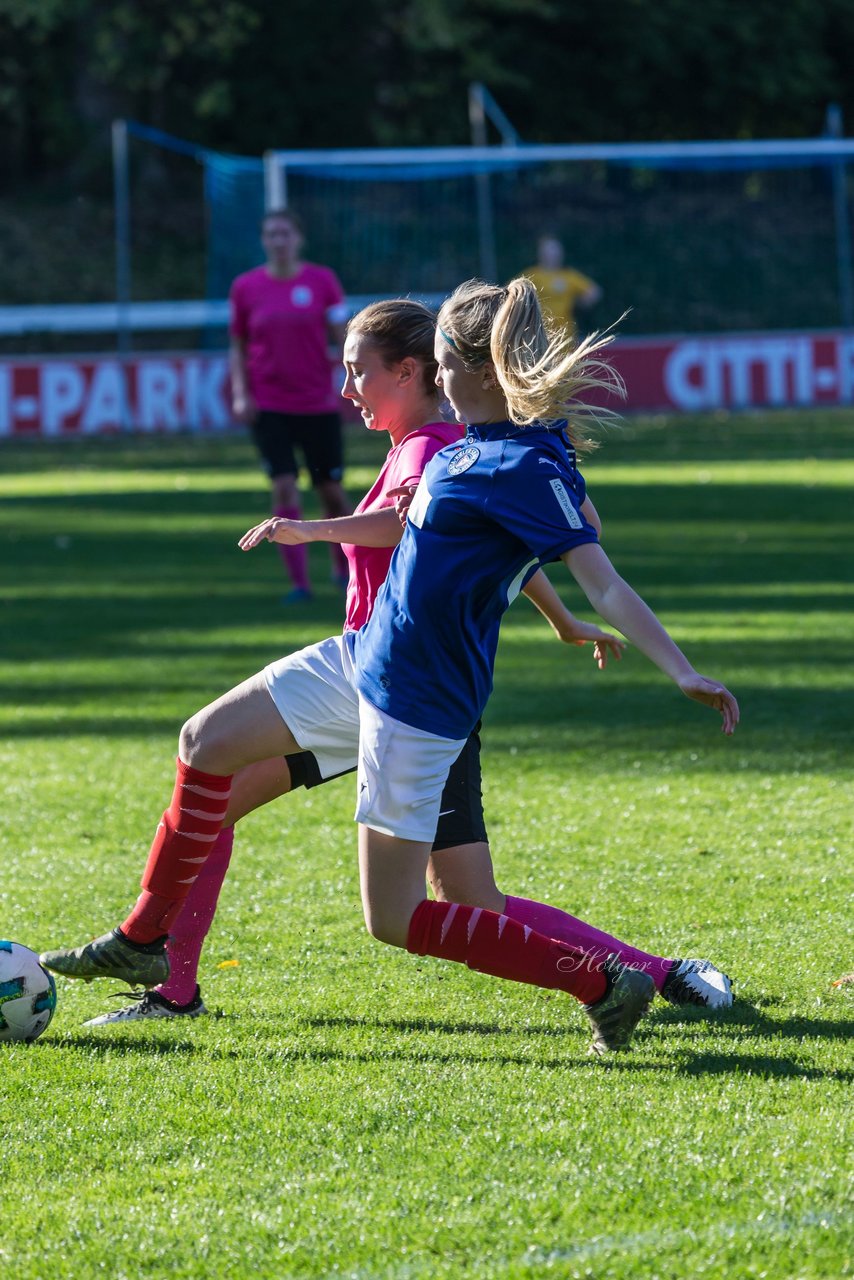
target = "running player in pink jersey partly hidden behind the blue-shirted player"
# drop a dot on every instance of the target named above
(390, 377)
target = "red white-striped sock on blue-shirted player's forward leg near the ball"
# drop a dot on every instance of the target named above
(182, 843)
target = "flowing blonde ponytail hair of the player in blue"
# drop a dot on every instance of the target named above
(541, 369)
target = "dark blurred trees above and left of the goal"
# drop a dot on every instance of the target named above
(243, 76)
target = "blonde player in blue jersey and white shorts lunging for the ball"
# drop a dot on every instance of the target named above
(400, 697)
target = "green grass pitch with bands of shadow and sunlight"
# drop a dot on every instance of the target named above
(353, 1112)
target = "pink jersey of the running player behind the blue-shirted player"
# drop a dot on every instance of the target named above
(404, 465)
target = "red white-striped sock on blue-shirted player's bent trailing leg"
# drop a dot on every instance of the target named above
(500, 947)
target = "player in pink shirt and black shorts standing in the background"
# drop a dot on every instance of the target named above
(285, 317)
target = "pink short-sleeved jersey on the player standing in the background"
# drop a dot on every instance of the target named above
(285, 327)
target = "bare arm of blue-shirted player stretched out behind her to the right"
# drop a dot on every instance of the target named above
(620, 606)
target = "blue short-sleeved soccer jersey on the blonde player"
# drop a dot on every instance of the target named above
(487, 514)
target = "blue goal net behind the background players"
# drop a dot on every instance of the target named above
(683, 237)
